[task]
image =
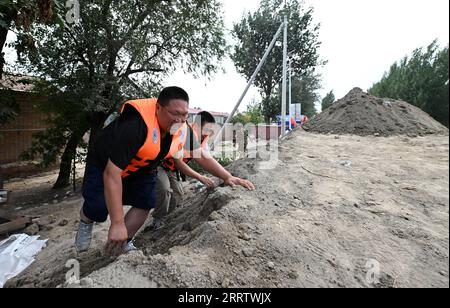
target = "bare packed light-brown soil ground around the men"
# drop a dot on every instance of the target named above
(336, 211)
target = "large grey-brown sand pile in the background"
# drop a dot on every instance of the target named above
(359, 113)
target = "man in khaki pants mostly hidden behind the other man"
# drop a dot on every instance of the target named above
(169, 189)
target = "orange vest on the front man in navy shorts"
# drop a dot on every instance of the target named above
(152, 145)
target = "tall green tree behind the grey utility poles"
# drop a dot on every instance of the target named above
(254, 34)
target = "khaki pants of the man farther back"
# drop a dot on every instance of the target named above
(169, 193)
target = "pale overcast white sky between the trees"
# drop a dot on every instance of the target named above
(360, 40)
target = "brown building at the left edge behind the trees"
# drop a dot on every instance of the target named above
(16, 136)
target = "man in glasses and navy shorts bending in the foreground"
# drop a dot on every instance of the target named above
(122, 167)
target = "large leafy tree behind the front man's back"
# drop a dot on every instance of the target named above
(120, 49)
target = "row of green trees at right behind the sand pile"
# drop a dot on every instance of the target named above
(421, 80)
